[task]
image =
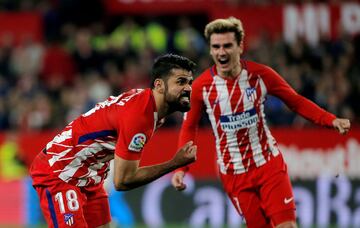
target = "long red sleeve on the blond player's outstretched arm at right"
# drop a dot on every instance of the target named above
(278, 87)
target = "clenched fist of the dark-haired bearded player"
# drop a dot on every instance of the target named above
(185, 155)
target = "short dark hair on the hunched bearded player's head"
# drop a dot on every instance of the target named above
(165, 63)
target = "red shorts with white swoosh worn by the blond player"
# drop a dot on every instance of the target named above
(263, 196)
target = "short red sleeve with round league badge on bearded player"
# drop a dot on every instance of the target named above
(133, 134)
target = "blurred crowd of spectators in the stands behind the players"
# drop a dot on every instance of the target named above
(81, 62)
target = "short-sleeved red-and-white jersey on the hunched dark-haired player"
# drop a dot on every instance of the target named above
(80, 154)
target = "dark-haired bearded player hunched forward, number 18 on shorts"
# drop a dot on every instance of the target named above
(68, 174)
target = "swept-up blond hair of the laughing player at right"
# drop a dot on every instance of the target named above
(230, 24)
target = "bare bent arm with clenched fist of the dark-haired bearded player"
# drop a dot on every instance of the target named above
(128, 175)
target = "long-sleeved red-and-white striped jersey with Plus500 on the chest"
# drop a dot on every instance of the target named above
(235, 107)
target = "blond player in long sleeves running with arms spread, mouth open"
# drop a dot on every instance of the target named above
(232, 92)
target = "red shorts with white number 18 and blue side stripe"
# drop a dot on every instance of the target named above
(65, 205)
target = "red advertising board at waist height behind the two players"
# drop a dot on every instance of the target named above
(307, 151)
